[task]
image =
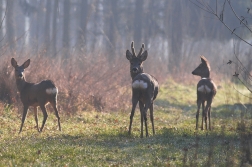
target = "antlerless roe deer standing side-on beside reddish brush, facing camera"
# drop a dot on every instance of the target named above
(35, 94)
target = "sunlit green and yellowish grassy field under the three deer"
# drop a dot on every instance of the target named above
(101, 139)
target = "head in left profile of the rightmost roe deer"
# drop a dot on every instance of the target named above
(203, 70)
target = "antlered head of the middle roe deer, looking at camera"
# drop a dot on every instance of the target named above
(136, 62)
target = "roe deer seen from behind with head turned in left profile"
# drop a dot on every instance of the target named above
(206, 90)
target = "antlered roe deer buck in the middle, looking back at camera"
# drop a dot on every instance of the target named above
(144, 87)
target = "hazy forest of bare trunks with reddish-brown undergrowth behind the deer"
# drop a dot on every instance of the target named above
(81, 45)
